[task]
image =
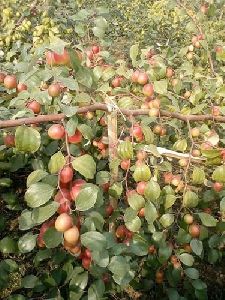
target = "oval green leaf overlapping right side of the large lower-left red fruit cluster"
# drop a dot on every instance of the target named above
(87, 197)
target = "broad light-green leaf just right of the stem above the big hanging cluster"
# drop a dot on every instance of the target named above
(85, 165)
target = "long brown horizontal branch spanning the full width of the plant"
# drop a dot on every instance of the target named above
(136, 112)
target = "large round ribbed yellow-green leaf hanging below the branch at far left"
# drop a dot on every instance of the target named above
(27, 139)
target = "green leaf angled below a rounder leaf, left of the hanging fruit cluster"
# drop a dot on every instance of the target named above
(41, 214)
